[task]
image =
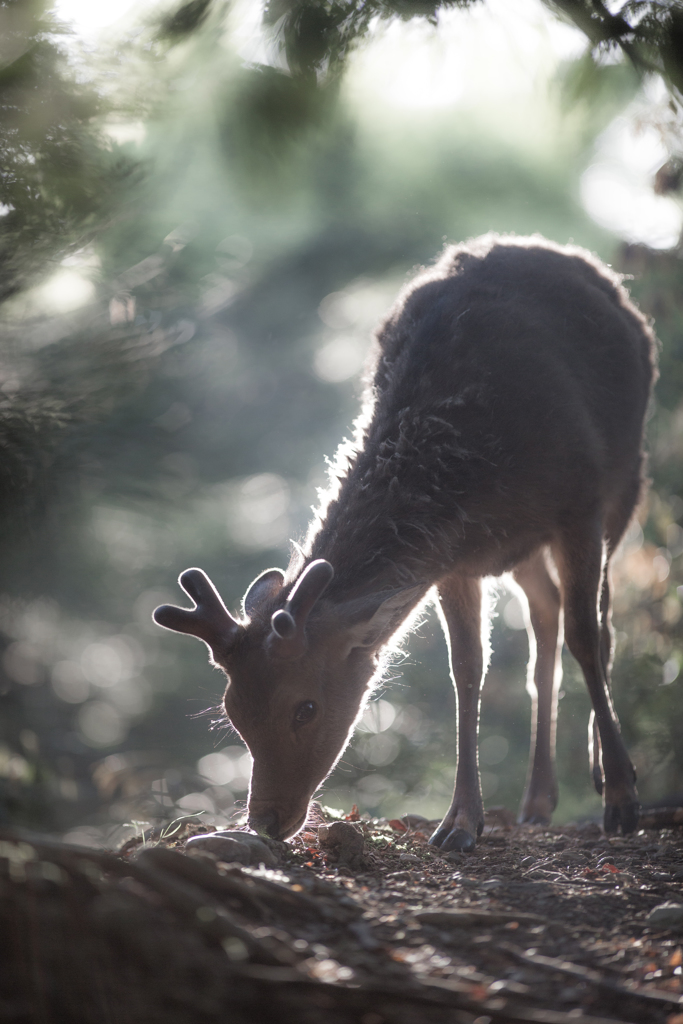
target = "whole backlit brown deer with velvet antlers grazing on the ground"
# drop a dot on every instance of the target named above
(501, 433)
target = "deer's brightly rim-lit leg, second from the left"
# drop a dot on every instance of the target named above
(544, 678)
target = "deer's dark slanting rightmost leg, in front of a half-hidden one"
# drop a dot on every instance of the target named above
(579, 556)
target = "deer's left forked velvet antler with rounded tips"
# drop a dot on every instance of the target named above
(209, 621)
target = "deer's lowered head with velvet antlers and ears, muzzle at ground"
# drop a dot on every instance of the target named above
(298, 668)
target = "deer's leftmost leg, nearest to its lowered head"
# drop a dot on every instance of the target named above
(460, 604)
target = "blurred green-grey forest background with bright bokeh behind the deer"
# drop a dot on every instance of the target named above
(204, 210)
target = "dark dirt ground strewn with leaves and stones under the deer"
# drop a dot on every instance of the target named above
(353, 921)
